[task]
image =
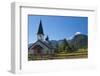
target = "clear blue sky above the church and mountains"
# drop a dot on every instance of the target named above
(57, 27)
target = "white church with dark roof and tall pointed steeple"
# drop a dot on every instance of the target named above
(41, 46)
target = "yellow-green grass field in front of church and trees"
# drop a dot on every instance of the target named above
(81, 53)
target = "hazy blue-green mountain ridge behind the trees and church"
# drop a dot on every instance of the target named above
(78, 41)
